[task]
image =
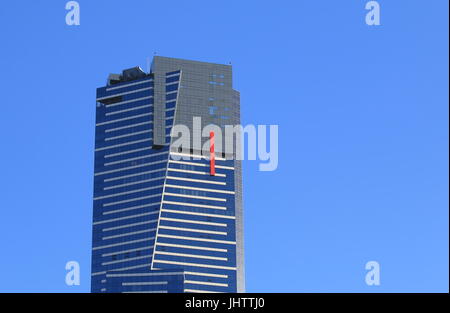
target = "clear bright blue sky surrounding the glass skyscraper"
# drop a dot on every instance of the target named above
(363, 122)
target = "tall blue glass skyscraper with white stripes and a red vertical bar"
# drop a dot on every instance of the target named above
(165, 218)
